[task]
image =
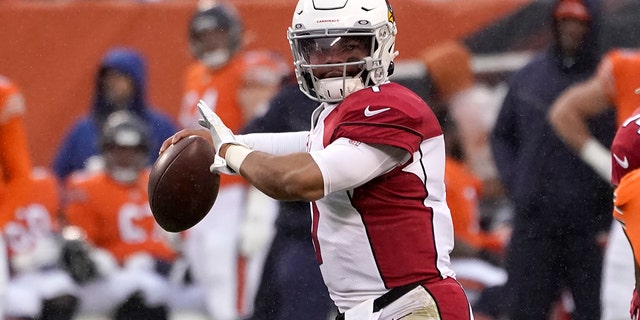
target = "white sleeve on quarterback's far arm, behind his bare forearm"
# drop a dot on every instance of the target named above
(276, 143)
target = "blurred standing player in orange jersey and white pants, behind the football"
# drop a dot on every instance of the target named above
(227, 248)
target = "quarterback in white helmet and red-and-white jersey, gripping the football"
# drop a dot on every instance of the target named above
(372, 166)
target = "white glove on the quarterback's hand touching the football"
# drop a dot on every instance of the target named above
(220, 135)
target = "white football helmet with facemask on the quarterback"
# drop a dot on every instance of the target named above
(324, 22)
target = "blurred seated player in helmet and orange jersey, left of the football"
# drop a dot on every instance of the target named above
(130, 252)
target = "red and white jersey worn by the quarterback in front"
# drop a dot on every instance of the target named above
(396, 228)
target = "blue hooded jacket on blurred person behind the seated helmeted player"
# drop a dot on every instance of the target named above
(81, 141)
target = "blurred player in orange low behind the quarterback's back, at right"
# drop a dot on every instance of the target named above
(478, 253)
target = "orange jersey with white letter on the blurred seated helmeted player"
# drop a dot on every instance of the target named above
(115, 217)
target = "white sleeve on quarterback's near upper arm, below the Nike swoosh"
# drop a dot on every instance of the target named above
(363, 163)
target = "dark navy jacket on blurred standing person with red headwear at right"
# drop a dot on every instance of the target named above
(549, 185)
